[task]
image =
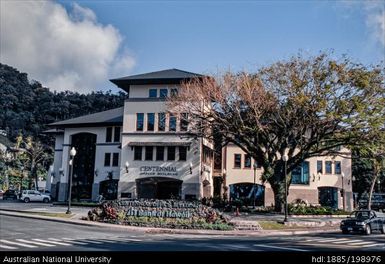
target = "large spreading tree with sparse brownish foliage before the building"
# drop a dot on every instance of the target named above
(305, 107)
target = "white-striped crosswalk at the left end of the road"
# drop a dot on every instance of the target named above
(42, 243)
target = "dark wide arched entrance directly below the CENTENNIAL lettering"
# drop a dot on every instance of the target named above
(159, 188)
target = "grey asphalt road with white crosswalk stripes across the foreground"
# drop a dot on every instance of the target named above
(20, 234)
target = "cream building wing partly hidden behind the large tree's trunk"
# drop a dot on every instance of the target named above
(325, 180)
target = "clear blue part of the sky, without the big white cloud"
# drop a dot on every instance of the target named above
(211, 36)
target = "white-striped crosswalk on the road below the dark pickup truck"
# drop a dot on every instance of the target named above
(351, 242)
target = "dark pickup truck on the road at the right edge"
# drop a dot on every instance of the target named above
(364, 221)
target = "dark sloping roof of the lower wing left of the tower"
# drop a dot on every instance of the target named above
(109, 117)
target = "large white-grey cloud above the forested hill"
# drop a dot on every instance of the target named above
(63, 50)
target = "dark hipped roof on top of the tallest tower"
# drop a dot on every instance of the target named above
(170, 76)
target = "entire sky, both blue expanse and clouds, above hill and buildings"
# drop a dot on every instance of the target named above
(80, 45)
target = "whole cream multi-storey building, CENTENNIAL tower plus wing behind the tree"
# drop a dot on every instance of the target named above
(141, 151)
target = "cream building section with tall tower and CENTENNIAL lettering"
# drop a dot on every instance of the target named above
(136, 151)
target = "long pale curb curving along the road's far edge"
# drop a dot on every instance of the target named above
(154, 230)
